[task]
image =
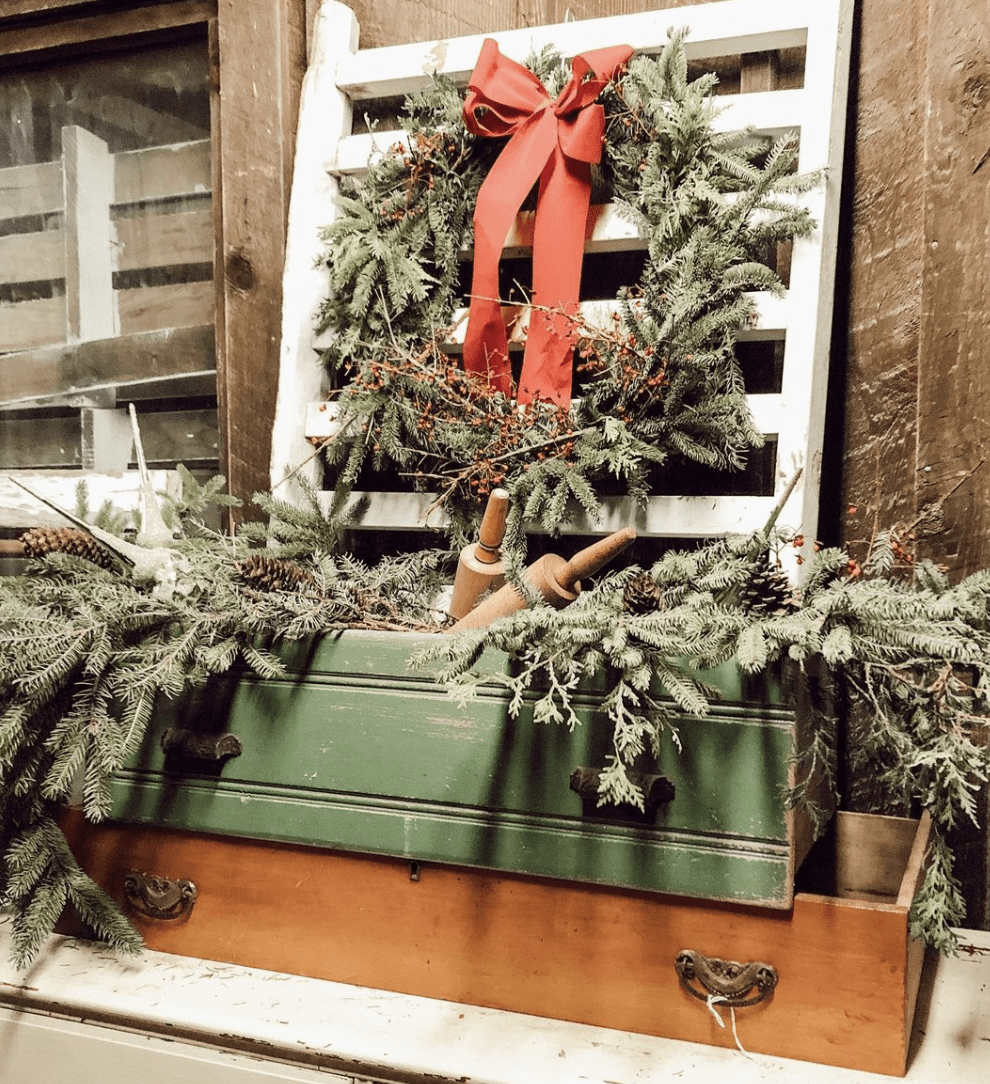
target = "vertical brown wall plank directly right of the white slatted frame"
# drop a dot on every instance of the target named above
(888, 241)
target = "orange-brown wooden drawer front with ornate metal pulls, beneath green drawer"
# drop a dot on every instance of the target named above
(560, 950)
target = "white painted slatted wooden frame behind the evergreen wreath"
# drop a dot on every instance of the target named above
(342, 78)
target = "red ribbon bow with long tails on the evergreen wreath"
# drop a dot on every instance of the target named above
(555, 143)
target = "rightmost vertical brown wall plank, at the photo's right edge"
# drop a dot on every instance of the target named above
(955, 313)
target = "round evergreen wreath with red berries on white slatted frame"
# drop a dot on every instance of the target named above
(659, 383)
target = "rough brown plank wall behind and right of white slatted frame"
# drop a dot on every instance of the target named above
(911, 362)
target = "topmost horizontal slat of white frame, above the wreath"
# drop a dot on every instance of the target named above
(716, 30)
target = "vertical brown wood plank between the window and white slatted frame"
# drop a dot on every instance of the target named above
(259, 44)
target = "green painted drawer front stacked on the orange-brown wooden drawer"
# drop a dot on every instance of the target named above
(354, 751)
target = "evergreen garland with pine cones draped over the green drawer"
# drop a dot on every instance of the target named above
(86, 653)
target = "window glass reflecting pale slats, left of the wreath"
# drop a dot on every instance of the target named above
(107, 247)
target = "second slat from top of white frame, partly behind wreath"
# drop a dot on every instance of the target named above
(769, 113)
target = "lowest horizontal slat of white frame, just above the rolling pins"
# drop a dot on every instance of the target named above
(659, 518)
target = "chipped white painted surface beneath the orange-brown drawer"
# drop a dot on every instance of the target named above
(84, 1016)
